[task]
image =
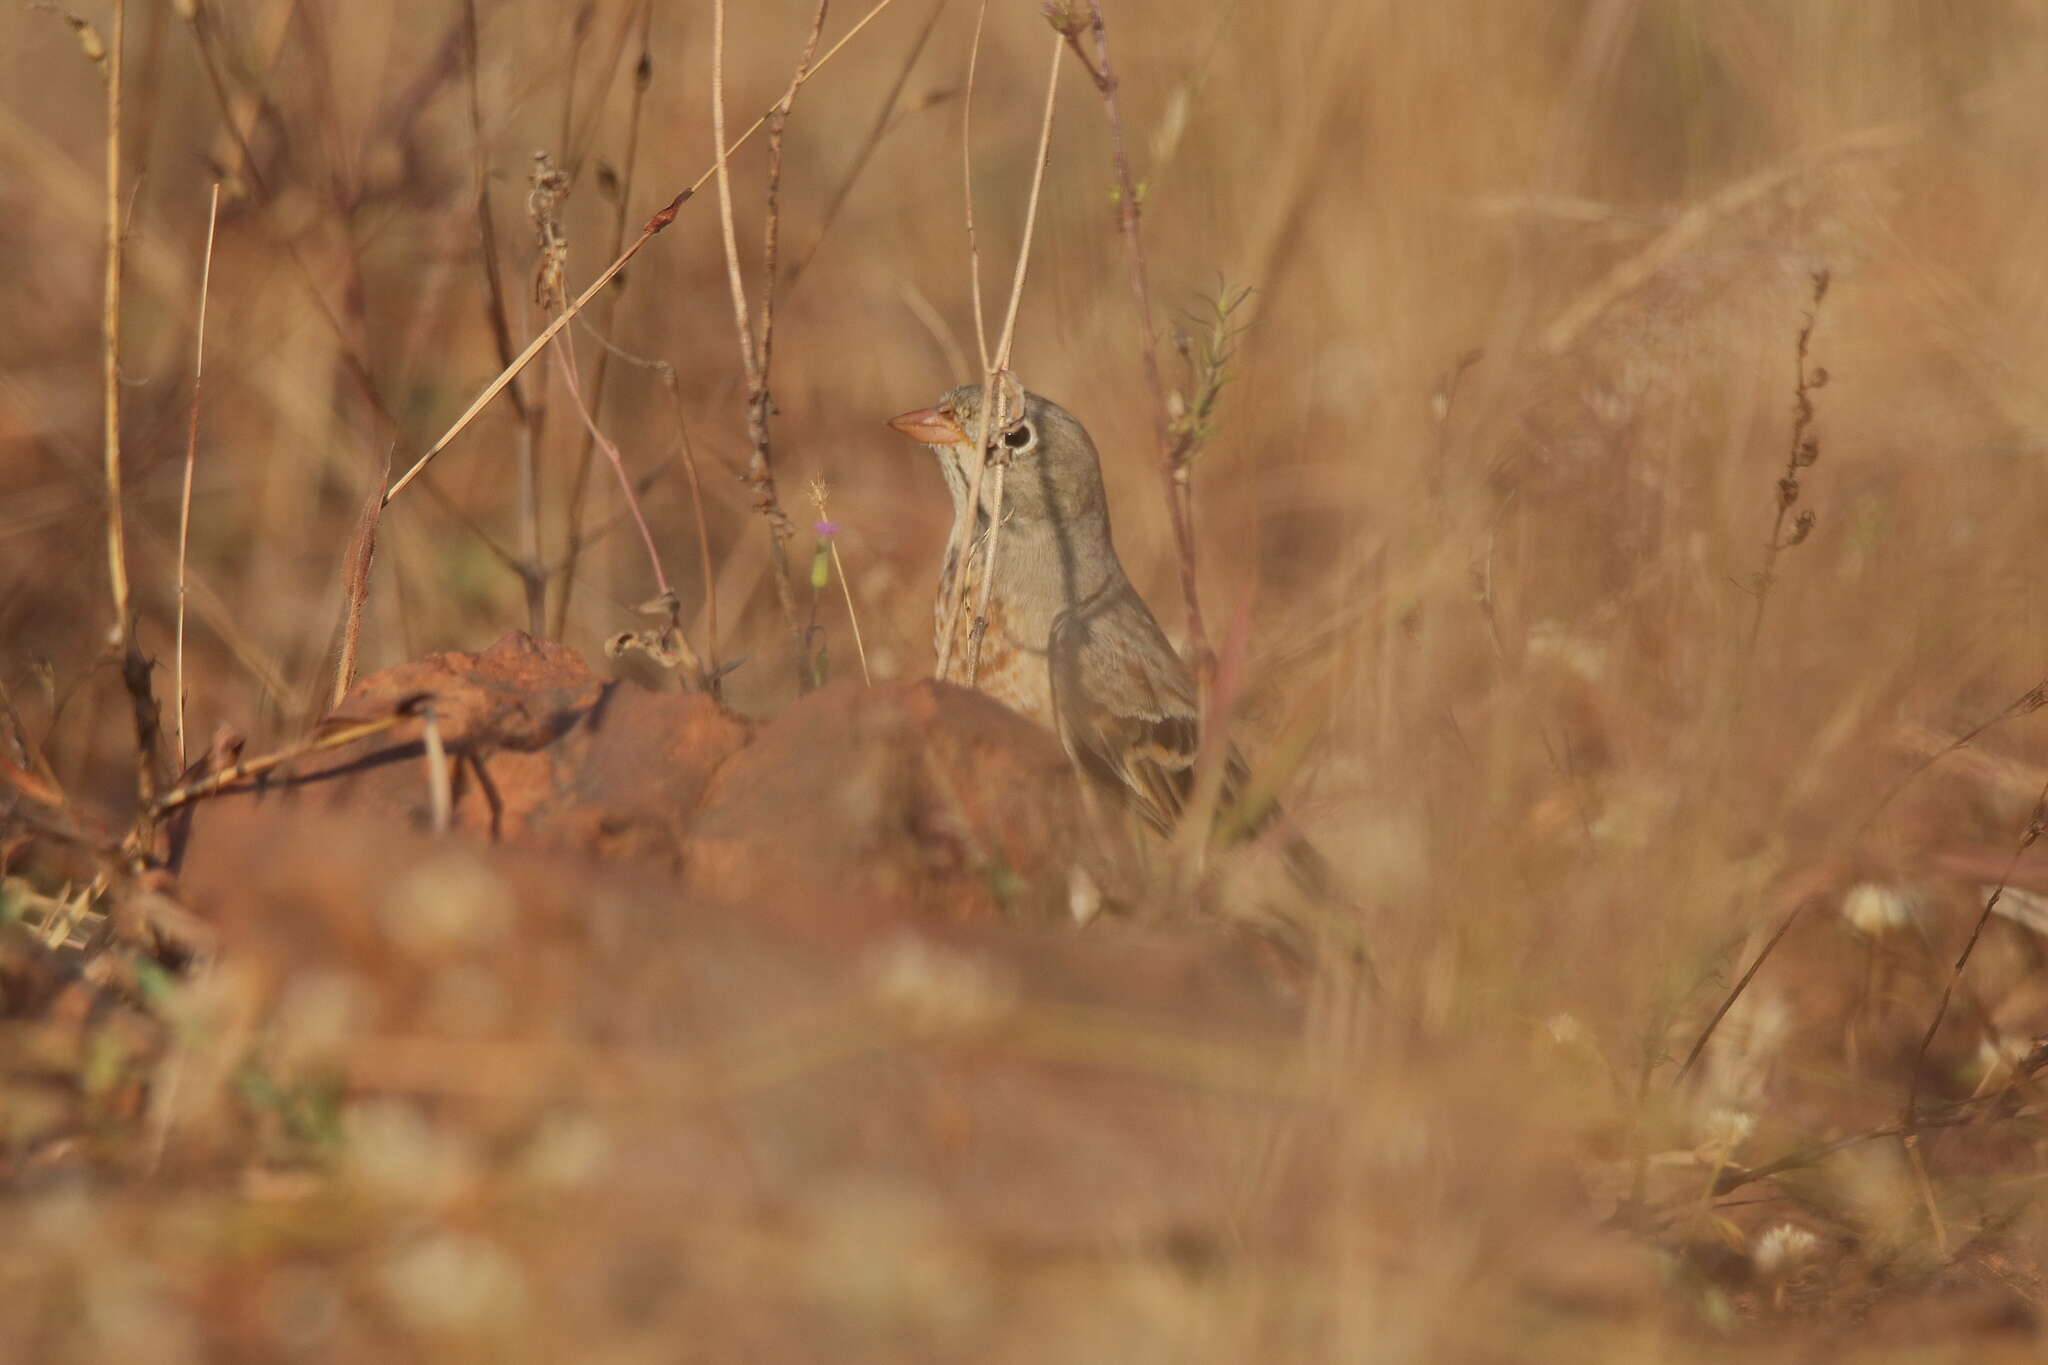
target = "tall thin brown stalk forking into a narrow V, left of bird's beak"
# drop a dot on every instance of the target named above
(757, 349)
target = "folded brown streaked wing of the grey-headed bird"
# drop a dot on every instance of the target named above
(1125, 705)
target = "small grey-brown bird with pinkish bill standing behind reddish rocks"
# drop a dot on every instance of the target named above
(1070, 644)
